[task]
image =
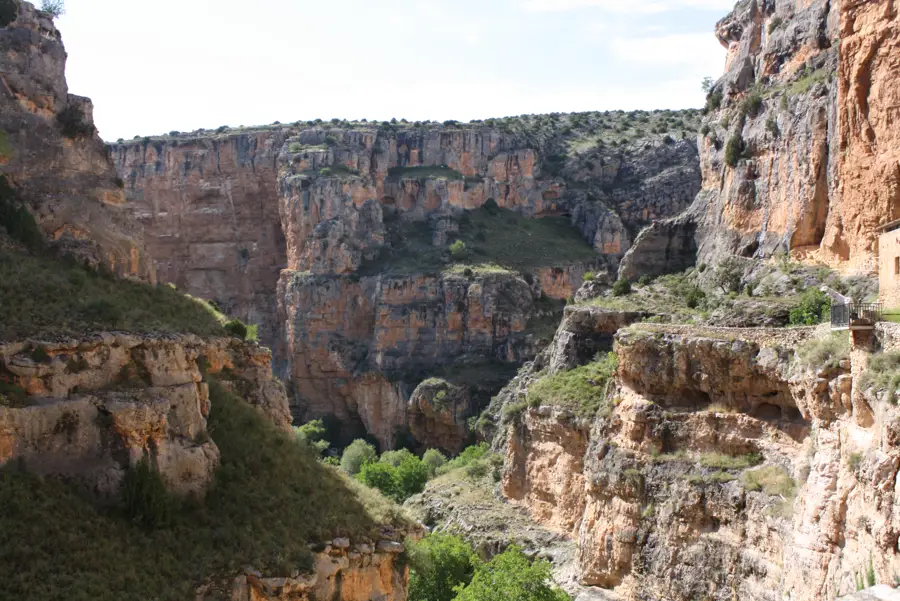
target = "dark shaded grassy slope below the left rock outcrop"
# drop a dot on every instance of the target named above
(271, 497)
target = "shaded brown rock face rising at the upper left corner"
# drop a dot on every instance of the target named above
(50, 151)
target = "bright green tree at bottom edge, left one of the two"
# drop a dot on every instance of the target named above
(440, 563)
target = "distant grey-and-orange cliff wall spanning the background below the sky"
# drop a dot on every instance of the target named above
(358, 219)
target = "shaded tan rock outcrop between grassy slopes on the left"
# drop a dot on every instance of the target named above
(91, 409)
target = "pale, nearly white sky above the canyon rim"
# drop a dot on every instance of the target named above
(151, 67)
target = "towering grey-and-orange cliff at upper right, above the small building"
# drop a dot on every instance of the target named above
(798, 147)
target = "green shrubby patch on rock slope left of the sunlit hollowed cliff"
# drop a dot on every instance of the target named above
(582, 390)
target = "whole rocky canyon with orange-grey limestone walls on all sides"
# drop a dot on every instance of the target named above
(427, 285)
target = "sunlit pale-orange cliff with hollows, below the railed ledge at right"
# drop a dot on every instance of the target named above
(721, 468)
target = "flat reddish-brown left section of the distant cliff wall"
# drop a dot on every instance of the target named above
(211, 223)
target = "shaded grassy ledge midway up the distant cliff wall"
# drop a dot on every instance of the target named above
(496, 241)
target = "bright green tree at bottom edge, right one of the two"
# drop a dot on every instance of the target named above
(511, 577)
